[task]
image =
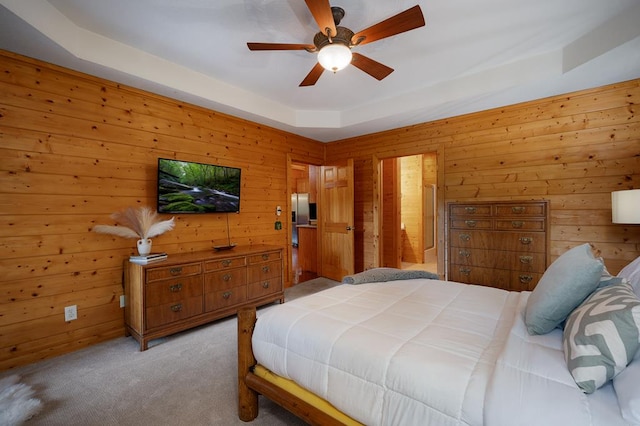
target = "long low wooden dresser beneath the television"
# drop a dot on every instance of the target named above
(191, 289)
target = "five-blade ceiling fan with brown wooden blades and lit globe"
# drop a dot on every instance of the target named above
(333, 43)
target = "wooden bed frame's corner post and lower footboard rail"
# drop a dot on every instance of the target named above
(251, 386)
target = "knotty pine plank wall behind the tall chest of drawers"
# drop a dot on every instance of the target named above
(572, 150)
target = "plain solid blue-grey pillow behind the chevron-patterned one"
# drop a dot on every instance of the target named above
(563, 286)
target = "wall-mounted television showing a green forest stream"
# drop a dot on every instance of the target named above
(188, 187)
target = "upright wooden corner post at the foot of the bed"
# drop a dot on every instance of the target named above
(247, 398)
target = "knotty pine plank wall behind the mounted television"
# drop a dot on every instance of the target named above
(73, 150)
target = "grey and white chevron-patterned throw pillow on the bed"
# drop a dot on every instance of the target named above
(602, 336)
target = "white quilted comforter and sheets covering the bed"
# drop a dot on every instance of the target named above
(417, 352)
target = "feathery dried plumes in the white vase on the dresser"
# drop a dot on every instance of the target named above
(139, 223)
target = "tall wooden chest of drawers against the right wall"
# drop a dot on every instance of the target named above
(498, 244)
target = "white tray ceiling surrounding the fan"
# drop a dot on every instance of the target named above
(471, 55)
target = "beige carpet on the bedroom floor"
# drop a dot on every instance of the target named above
(189, 378)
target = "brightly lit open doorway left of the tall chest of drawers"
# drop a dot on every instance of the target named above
(408, 212)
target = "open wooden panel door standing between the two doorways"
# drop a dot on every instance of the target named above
(336, 224)
